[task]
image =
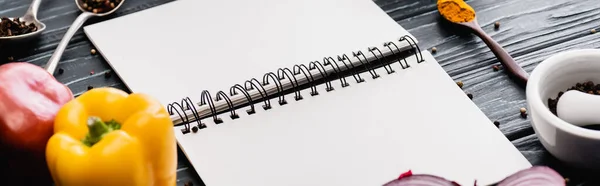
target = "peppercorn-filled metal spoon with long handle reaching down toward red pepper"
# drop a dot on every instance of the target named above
(89, 8)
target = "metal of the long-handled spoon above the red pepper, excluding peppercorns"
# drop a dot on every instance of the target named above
(53, 62)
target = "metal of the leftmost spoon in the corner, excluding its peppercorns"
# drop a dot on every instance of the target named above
(29, 17)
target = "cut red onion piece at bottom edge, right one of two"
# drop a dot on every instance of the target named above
(534, 176)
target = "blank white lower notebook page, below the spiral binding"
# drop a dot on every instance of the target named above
(363, 135)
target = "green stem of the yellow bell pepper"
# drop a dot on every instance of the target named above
(97, 130)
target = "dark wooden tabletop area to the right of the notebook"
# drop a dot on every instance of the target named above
(531, 31)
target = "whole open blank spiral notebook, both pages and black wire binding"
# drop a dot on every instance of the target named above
(363, 128)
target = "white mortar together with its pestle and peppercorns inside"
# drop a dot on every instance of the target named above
(557, 88)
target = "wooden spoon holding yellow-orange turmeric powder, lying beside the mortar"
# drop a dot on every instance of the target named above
(459, 12)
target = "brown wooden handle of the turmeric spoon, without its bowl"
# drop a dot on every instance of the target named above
(505, 59)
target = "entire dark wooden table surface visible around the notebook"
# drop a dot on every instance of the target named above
(530, 31)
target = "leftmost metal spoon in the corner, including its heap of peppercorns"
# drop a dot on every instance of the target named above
(19, 29)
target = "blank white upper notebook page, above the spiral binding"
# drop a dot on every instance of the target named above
(178, 49)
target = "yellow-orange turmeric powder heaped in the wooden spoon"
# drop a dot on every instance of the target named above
(456, 11)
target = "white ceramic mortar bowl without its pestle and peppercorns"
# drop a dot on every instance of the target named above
(571, 144)
